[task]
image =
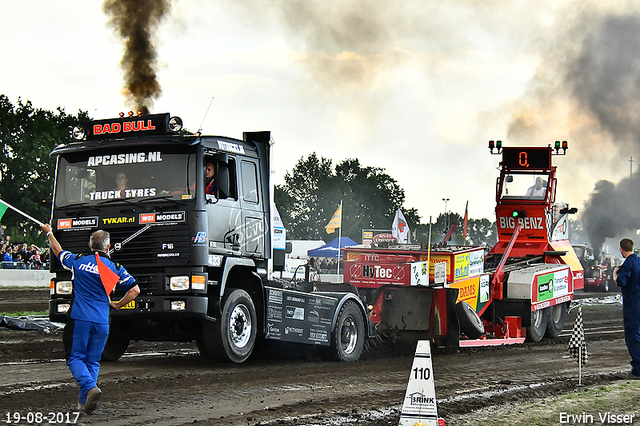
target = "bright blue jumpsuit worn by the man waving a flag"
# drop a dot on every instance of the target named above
(89, 323)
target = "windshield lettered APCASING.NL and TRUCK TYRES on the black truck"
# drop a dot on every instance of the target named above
(124, 176)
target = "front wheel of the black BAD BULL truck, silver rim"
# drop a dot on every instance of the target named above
(233, 337)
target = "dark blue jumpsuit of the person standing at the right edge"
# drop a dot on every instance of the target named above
(629, 281)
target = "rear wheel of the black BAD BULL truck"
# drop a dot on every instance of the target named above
(347, 339)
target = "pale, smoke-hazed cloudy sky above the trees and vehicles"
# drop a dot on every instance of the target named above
(415, 87)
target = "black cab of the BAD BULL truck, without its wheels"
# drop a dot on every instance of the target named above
(143, 181)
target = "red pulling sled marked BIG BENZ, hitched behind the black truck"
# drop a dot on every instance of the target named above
(461, 296)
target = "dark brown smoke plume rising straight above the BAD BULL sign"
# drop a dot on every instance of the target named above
(135, 22)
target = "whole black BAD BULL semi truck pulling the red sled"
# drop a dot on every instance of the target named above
(203, 259)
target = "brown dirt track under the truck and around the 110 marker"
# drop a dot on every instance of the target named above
(169, 384)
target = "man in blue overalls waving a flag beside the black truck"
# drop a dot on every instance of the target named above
(88, 325)
